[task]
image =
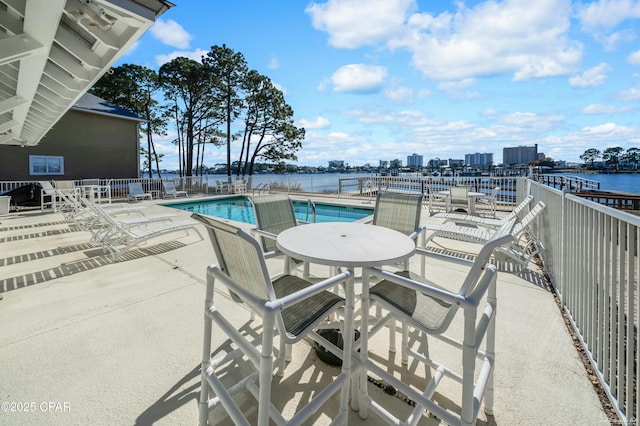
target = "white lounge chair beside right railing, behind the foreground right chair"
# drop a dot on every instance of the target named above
(521, 250)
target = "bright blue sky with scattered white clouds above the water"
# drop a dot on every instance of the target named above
(375, 80)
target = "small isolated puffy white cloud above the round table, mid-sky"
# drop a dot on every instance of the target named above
(359, 78)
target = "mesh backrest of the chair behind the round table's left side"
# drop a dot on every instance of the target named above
(274, 213)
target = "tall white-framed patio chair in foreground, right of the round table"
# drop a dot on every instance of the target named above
(429, 308)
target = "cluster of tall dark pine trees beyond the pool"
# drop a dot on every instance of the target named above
(212, 102)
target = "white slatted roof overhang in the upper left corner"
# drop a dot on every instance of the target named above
(53, 51)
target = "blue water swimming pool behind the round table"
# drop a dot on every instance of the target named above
(240, 209)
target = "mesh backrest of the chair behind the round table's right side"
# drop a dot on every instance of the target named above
(399, 211)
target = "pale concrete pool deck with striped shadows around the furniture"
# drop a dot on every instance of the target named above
(91, 342)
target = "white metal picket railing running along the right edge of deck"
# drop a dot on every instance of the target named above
(591, 257)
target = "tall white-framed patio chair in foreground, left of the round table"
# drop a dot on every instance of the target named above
(288, 305)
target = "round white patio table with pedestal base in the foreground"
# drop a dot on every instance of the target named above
(347, 245)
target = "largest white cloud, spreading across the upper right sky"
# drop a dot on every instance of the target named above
(528, 39)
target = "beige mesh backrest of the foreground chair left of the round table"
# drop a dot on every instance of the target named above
(240, 258)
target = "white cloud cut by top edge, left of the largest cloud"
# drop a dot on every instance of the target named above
(355, 23)
